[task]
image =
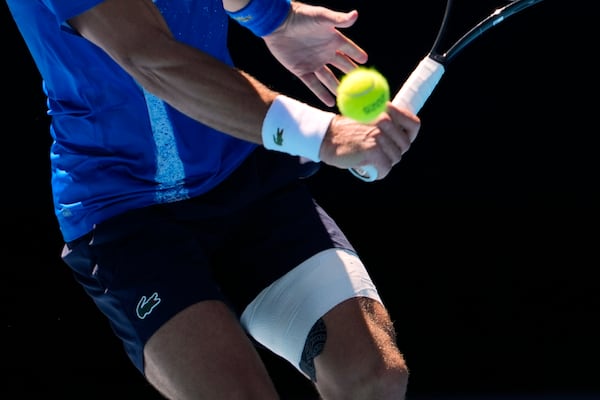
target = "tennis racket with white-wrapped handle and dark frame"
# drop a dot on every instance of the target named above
(422, 81)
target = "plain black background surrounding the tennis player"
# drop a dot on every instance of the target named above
(483, 240)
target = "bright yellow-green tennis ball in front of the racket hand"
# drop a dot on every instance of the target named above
(363, 94)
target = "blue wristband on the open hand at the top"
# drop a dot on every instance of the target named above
(262, 17)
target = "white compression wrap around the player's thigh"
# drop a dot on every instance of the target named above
(282, 315)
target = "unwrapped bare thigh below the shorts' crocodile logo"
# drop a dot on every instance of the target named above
(202, 352)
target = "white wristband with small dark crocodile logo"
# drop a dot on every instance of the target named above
(296, 128)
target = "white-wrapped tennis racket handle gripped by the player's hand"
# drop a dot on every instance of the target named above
(412, 95)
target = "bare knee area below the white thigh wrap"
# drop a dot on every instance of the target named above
(360, 358)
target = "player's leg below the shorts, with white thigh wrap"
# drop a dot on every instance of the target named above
(326, 318)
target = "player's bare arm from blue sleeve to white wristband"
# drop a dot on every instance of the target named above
(191, 81)
